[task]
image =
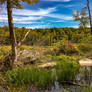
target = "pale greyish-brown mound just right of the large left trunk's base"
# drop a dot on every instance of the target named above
(28, 57)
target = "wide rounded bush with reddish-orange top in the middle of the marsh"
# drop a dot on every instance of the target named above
(64, 47)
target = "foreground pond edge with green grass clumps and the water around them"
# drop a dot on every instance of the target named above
(66, 76)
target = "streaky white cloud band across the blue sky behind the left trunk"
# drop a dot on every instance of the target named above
(27, 16)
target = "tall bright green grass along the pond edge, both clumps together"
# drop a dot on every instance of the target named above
(65, 71)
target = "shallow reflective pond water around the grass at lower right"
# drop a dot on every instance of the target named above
(84, 78)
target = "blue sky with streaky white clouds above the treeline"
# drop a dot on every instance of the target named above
(45, 14)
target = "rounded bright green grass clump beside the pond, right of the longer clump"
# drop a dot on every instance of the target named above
(66, 70)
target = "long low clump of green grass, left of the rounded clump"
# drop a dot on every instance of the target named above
(36, 76)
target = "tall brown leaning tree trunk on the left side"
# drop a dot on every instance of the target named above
(12, 33)
